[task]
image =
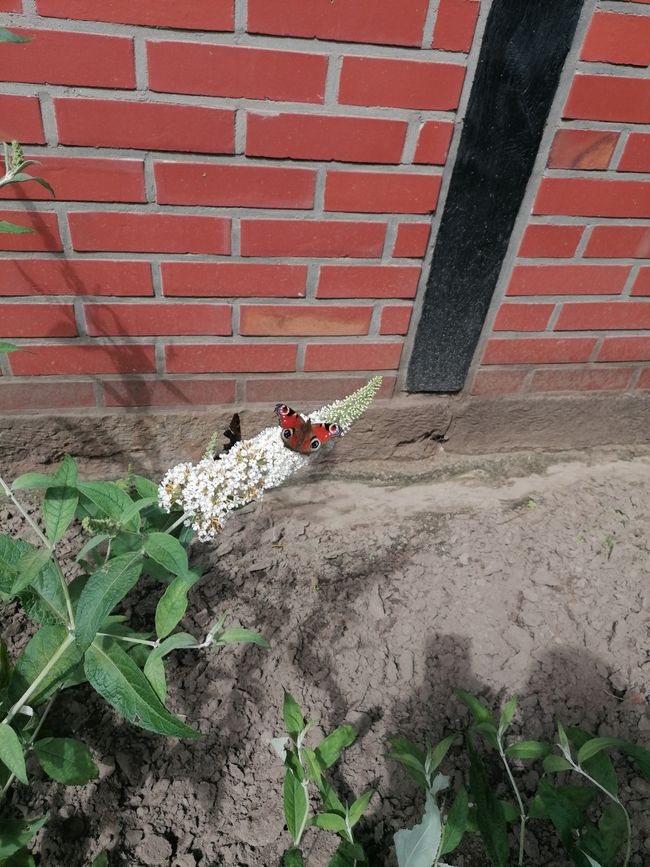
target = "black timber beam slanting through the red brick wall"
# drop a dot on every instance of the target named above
(523, 50)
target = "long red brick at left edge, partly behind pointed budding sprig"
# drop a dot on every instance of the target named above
(84, 180)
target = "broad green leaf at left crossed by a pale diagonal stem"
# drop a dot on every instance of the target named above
(35, 656)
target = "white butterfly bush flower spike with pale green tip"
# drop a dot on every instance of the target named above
(209, 491)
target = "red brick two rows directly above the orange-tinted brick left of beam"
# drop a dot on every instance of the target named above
(312, 238)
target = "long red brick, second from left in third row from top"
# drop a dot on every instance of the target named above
(145, 125)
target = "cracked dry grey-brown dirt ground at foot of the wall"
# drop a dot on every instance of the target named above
(526, 574)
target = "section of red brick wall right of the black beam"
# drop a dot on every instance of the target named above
(575, 308)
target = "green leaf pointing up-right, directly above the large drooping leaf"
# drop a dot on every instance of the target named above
(103, 590)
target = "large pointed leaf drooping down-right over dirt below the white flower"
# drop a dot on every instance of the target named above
(114, 675)
